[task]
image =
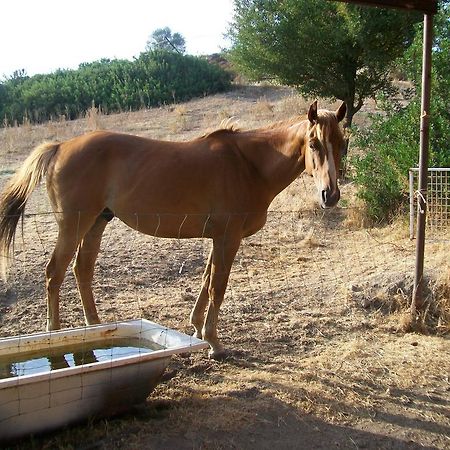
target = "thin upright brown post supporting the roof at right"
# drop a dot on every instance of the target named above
(417, 297)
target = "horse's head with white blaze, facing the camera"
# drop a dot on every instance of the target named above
(324, 148)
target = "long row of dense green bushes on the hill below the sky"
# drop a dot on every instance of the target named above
(155, 78)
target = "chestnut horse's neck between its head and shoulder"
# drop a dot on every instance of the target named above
(277, 156)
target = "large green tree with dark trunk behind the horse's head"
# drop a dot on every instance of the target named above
(324, 48)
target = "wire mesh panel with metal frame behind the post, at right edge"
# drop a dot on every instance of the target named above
(438, 202)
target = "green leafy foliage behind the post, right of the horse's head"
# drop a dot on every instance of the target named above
(391, 144)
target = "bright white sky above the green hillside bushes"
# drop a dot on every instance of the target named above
(41, 36)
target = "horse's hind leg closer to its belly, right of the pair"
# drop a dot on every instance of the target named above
(84, 268)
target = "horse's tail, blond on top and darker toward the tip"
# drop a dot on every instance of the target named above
(16, 194)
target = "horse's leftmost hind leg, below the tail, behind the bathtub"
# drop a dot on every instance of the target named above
(71, 231)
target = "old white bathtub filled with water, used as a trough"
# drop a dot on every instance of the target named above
(36, 396)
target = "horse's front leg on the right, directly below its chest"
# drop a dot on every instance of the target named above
(224, 251)
